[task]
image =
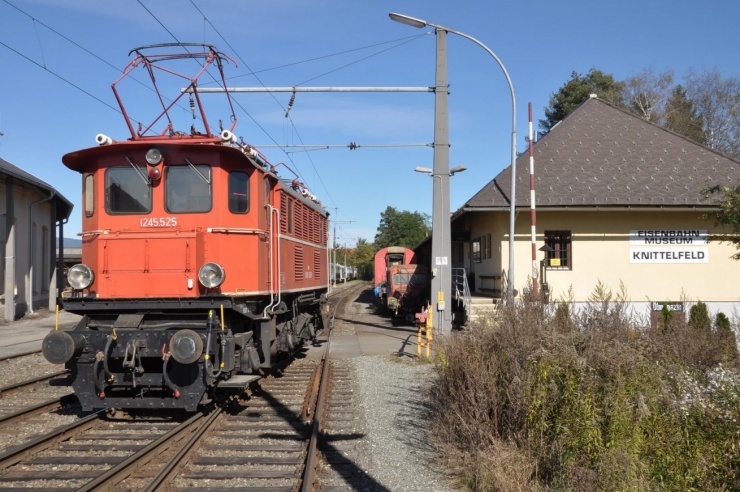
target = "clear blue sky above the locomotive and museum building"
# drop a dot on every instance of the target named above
(58, 59)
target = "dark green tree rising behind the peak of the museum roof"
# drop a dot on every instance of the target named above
(574, 92)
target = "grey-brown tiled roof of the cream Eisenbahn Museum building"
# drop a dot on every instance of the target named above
(601, 155)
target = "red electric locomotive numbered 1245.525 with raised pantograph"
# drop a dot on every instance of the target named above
(200, 265)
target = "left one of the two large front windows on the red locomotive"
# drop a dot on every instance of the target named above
(127, 190)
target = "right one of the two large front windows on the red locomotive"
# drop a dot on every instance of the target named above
(187, 188)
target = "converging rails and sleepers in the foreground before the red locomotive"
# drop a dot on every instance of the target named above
(288, 434)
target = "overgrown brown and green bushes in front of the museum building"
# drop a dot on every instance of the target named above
(601, 405)
